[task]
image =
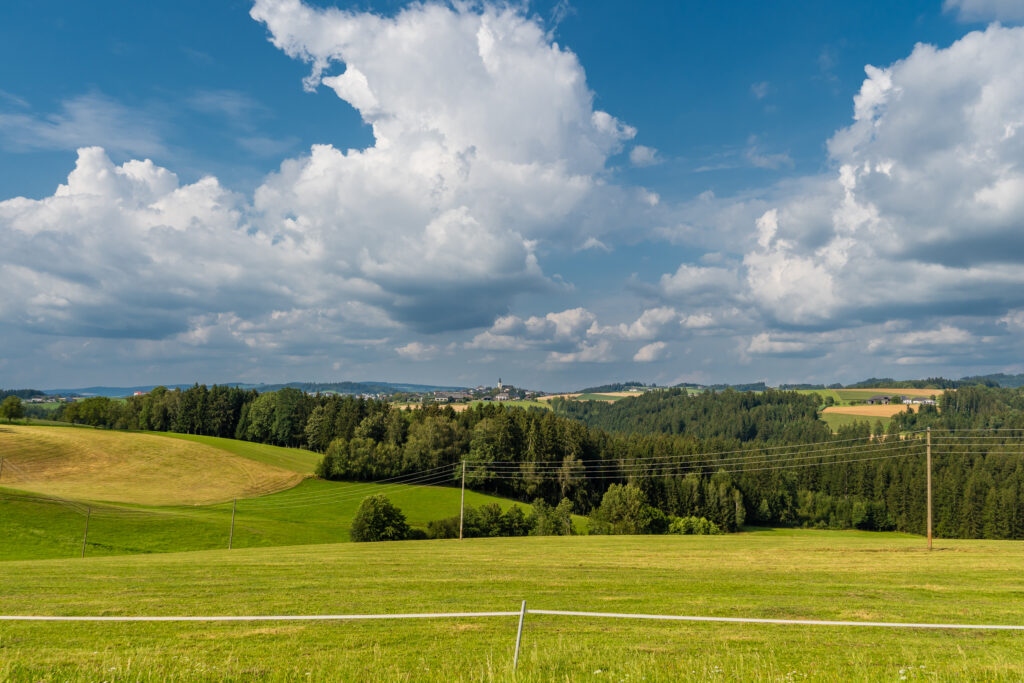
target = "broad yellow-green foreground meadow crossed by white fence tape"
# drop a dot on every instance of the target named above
(800, 575)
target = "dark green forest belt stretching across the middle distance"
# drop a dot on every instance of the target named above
(733, 458)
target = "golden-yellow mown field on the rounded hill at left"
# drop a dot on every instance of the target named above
(98, 465)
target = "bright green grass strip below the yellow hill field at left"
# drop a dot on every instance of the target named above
(314, 513)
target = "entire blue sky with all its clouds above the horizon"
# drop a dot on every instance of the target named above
(559, 194)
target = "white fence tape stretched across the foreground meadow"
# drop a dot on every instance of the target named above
(549, 613)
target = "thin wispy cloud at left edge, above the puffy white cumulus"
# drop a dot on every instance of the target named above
(87, 120)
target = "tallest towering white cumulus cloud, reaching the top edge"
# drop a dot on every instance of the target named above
(486, 143)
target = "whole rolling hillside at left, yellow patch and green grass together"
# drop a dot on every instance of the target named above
(135, 468)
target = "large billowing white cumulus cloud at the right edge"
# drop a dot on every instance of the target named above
(925, 210)
